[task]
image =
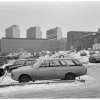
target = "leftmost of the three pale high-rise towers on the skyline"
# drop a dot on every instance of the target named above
(12, 32)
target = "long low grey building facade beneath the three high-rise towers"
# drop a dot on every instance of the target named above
(13, 45)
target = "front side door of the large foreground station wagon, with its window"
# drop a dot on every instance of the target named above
(45, 71)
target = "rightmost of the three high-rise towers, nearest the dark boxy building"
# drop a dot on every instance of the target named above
(54, 34)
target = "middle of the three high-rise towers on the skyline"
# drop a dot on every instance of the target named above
(34, 33)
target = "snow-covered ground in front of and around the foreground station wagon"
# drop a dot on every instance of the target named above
(39, 90)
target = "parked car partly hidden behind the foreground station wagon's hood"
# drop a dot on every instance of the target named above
(18, 63)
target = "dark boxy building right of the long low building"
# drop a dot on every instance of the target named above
(80, 39)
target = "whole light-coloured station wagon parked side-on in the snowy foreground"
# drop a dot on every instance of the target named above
(51, 68)
